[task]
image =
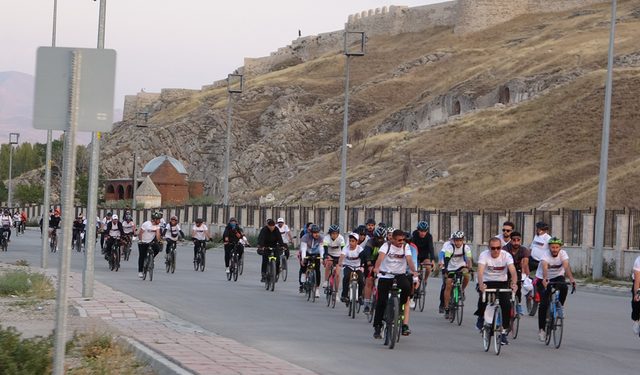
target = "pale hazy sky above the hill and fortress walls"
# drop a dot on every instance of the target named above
(170, 44)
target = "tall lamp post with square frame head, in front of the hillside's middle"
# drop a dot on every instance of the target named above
(355, 49)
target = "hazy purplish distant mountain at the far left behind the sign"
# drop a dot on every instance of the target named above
(16, 109)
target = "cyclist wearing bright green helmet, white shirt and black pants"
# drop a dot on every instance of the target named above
(554, 265)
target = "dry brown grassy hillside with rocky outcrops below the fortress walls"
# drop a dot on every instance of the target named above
(506, 118)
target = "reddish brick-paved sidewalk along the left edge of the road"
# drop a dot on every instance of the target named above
(190, 347)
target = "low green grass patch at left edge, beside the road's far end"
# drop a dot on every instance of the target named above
(26, 284)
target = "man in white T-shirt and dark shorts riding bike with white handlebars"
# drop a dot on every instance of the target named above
(493, 266)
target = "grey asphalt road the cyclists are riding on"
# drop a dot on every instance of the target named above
(597, 335)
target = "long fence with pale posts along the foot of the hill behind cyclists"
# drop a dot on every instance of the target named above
(567, 224)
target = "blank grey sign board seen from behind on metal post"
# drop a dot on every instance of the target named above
(95, 83)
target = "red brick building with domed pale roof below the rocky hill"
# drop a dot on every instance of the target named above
(167, 174)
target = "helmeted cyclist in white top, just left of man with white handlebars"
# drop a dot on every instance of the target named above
(456, 258)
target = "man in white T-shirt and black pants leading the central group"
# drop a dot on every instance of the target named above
(393, 258)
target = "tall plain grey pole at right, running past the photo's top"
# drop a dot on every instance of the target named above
(604, 155)
